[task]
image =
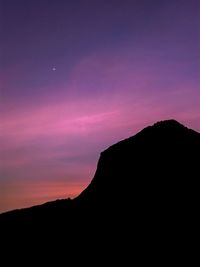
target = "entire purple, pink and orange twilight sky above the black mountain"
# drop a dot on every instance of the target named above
(77, 76)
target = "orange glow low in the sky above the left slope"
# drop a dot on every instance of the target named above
(38, 193)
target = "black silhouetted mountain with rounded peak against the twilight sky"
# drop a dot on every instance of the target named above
(142, 203)
